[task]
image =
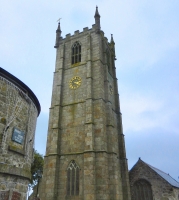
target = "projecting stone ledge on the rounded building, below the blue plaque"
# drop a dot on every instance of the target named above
(10, 169)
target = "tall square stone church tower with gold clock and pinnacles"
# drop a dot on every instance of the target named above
(85, 154)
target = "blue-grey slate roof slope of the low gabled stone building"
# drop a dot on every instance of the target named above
(165, 176)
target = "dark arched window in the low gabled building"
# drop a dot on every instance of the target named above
(142, 190)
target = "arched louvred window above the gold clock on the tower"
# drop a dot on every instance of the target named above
(76, 53)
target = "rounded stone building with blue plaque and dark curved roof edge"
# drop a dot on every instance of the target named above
(19, 109)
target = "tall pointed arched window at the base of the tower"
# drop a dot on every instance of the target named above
(73, 179)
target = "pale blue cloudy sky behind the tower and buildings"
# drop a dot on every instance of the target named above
(146, 34)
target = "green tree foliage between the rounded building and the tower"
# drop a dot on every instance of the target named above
(37, 165)
